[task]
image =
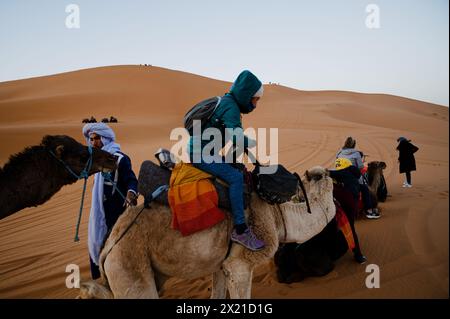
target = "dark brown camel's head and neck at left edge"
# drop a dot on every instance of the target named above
(33, 176)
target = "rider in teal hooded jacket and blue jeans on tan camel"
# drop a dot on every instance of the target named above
(242, 99)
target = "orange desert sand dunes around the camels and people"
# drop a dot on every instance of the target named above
(409, 242)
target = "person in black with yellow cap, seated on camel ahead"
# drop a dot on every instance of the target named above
(346, 191)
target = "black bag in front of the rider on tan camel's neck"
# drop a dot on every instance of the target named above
(276, 188)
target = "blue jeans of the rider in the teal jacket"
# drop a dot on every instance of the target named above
(235, 180)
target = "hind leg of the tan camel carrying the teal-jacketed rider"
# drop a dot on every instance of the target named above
(128, 281)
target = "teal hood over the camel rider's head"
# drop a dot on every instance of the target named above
(243, 89)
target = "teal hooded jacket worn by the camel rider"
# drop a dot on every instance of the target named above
(228, 112)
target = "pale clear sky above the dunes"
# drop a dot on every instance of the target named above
(307, 45)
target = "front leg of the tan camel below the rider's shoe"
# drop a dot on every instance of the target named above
(239, 276)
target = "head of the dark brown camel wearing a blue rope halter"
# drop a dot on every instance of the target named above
(76, 155)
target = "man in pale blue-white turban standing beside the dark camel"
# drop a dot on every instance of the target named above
(107, 201)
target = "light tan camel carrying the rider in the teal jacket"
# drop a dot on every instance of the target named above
(142, 251)
